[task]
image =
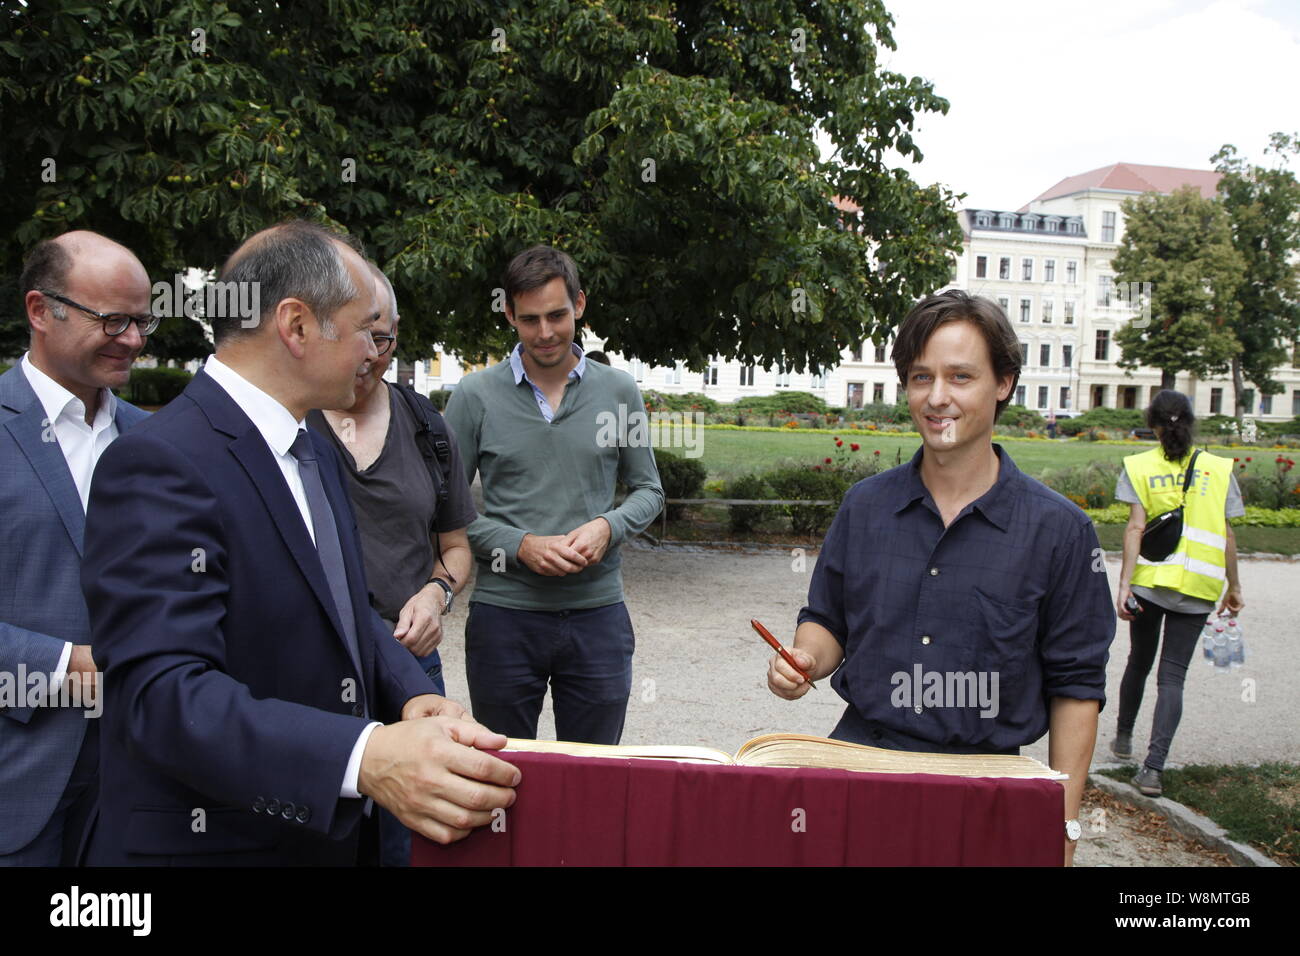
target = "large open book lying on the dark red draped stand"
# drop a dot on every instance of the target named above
(804, 751)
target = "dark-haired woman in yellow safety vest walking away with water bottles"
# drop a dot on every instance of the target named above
(1181, 590)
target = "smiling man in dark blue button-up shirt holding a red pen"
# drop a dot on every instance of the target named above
(963, 607)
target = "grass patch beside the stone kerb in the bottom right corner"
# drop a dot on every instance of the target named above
(1256, 806)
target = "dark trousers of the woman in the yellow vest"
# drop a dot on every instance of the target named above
(1181, 635)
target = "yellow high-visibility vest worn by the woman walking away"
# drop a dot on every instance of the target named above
(1199, 566)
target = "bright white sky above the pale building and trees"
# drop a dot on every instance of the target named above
(1047, 89)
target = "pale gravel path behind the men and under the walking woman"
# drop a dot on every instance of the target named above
(699, 677)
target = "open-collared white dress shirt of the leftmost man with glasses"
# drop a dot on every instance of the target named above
(81, 444)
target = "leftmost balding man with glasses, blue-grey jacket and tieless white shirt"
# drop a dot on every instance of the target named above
(88, 304)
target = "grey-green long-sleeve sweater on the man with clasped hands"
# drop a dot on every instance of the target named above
(548, 478)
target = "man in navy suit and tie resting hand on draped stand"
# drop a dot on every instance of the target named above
(246, 674)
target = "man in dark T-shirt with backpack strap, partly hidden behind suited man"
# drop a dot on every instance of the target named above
(413, 508)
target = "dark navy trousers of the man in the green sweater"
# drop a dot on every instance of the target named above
(586, 656)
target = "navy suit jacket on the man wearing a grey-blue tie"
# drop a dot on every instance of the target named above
(232, 703)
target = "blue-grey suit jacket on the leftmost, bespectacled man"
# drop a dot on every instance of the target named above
(41, 605)
